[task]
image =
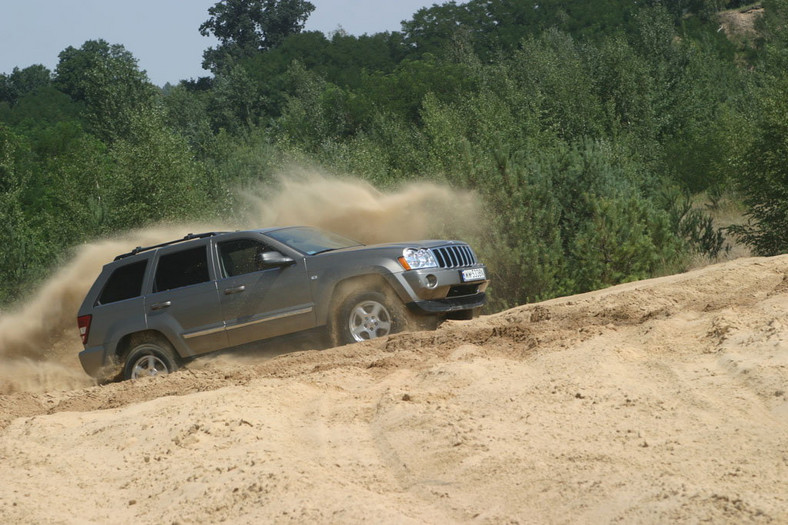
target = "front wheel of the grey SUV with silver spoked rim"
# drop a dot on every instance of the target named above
(368, 315)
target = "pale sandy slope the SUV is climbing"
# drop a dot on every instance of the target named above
(657, 401)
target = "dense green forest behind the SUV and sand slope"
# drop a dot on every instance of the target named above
(602, 137)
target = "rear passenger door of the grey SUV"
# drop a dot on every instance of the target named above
(184, 303)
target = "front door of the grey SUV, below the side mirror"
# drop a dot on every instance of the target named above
(260, 300)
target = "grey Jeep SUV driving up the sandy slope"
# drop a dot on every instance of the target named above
(154, 307)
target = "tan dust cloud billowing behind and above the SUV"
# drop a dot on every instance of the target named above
(39, 341)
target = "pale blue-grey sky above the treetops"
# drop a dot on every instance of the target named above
(163, 35)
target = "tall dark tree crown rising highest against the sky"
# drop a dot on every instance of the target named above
(246, 27)
